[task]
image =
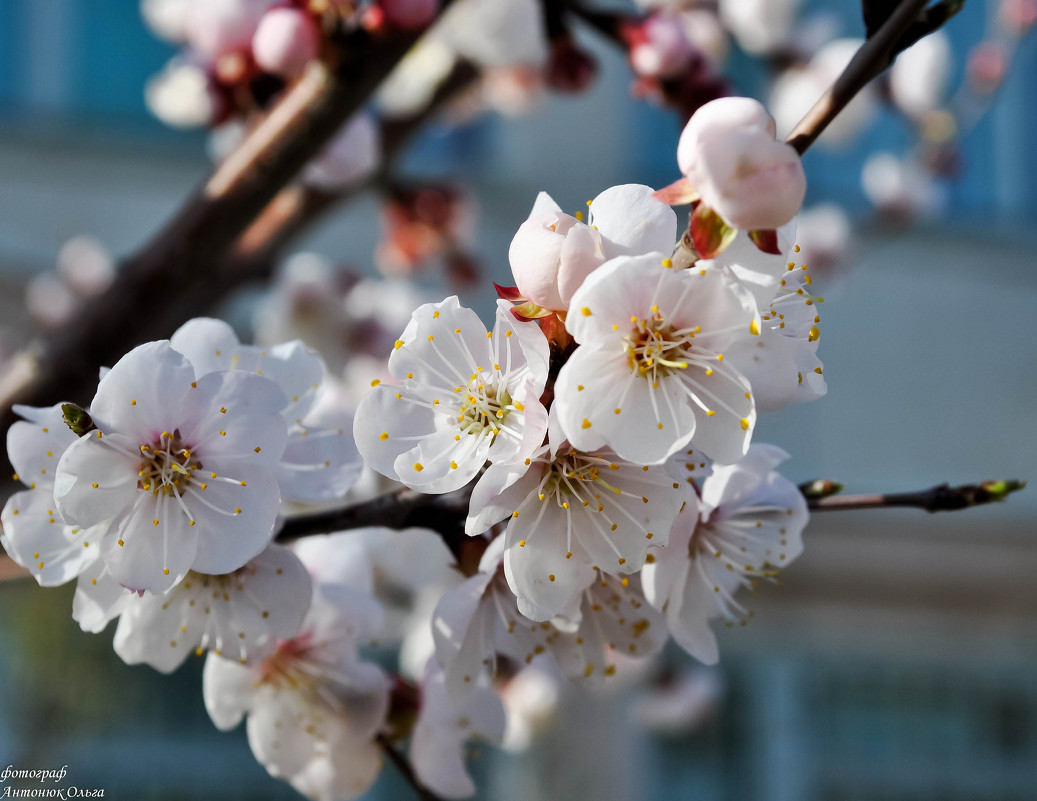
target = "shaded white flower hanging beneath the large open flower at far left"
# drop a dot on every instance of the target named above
(239, 616)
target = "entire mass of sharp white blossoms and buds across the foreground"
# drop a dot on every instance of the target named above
(603, 427)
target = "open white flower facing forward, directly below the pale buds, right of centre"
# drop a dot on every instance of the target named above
(651, 374)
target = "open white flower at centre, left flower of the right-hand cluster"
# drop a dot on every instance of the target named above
(466, 397)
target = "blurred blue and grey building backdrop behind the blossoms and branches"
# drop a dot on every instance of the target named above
(896, 661)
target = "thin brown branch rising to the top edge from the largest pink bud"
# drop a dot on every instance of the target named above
(876, 56)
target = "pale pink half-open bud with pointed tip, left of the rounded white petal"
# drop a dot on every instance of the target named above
(551, 256)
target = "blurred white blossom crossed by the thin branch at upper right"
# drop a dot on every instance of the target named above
(797, 90)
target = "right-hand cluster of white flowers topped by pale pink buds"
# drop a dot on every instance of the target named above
(605, 420)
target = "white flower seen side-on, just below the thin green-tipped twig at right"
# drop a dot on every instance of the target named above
(750, 529)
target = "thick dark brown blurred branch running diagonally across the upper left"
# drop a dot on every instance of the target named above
(189, 252)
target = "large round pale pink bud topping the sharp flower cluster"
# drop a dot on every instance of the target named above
(731, 157)
